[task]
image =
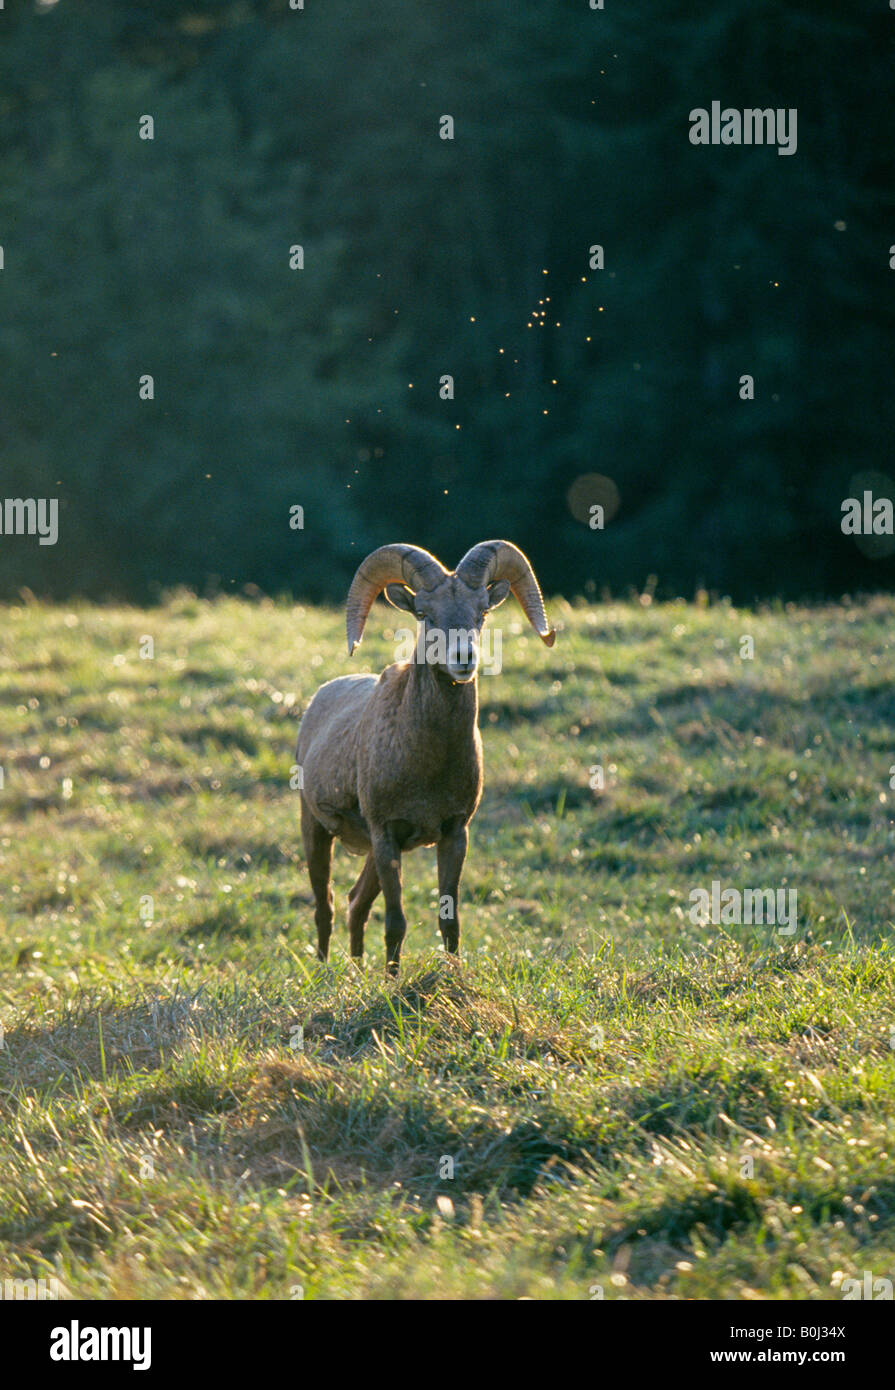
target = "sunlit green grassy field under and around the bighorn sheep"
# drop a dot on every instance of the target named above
(634, 1106)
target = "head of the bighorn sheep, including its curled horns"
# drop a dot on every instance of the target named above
(451, 608)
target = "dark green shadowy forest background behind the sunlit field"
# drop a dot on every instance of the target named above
(279, 389)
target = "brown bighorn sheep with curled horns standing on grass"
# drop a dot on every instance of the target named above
(393, 762)
